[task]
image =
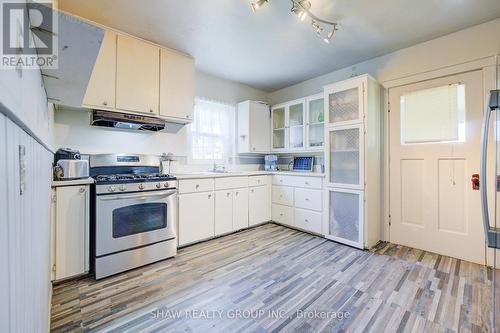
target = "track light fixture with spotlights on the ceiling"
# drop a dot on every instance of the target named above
(302, 9)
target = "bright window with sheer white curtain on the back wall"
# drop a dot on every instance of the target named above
(211, 131)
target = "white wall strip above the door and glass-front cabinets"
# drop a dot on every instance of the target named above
(469, 44)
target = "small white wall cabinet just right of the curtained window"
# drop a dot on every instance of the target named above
(253, 125)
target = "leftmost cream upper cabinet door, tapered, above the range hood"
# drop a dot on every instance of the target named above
(101, 89)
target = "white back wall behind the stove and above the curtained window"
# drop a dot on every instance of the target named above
(72, 127)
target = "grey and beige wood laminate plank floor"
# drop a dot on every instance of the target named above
(272, 278)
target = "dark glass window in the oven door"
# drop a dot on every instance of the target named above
(135, 219)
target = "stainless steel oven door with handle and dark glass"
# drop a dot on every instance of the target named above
(132, 220)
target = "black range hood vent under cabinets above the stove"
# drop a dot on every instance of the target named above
(126, 121)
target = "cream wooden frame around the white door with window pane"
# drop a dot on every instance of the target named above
(489, 68)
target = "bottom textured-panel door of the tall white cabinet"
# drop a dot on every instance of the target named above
(345, 216)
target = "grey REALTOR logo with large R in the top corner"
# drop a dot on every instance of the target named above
(28, 35)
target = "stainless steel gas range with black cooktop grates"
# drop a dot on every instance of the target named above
(135, 213)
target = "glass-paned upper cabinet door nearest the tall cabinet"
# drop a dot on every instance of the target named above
(315, 122)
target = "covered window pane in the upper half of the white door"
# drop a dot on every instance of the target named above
(433, 115)
